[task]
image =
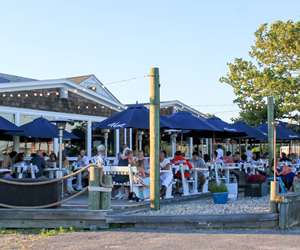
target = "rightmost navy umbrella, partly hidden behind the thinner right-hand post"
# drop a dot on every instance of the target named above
(283, 133)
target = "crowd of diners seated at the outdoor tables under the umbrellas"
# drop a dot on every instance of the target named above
(169, 167)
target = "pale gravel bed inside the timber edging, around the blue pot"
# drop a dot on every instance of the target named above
(206, 206)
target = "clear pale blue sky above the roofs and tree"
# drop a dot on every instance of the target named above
(191, 42)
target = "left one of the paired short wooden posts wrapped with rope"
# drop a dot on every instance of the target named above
(94, 181)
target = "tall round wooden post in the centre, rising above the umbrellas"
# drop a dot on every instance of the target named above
(154, 138)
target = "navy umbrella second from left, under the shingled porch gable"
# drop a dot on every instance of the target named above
(41, 128)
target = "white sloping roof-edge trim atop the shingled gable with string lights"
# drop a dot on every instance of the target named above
(59, 83)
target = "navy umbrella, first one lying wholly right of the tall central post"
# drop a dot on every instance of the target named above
(186, 121)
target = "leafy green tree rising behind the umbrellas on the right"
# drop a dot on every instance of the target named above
(273, 69)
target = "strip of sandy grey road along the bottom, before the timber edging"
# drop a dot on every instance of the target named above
(134, 240)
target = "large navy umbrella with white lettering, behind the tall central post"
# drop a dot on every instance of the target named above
(135, 116)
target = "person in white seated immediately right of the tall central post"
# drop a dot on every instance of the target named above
(166, 177)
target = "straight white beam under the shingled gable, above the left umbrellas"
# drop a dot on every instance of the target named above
(58, 115)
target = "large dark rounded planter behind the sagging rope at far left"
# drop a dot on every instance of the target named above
(35, 195)
